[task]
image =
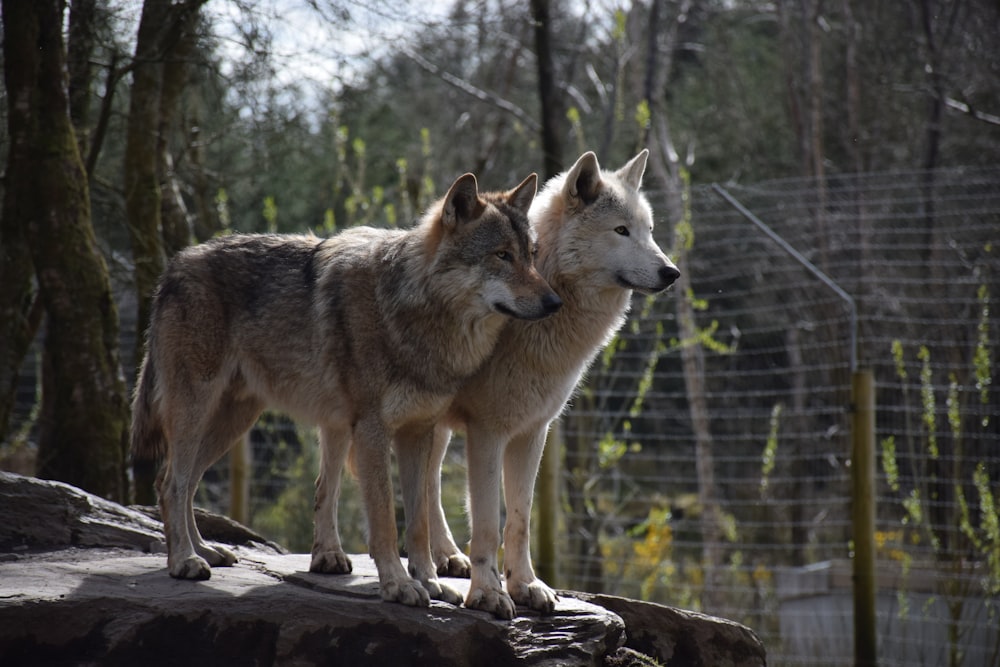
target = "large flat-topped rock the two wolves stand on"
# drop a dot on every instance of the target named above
(83, 581)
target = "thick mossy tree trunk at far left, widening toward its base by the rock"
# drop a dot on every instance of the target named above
(84, 423)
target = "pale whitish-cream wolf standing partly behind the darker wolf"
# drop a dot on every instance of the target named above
(596, 247)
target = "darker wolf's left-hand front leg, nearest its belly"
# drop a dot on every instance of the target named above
(372, 440)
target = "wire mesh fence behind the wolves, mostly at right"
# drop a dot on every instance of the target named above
(723, 484)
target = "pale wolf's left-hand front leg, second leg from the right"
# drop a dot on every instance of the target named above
(486, 588)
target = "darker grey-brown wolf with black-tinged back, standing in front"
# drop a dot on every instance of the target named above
(367, 334)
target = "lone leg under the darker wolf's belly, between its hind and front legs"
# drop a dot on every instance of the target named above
(327, 553)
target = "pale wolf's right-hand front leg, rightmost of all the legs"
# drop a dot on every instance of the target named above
(521, 460)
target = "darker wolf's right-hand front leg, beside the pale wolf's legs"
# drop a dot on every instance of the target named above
(413, 452)
